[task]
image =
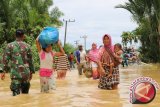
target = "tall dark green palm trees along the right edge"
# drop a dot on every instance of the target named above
(147, 15)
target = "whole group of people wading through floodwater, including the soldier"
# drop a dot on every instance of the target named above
(103, 61)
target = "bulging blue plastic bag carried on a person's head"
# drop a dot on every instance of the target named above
(49, 35)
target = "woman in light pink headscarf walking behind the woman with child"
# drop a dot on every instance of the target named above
(93, 56)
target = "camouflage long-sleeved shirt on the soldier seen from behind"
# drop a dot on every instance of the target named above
(18, 57)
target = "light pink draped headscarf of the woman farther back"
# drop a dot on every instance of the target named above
(93, 53)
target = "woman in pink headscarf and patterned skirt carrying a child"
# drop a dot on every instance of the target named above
(109, 71)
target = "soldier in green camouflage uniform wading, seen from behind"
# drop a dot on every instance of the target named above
(19, 55)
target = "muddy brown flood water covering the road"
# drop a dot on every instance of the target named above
(78, 91)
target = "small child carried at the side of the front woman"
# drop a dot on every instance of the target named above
(118, 52)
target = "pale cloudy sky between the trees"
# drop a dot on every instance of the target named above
(94, 18)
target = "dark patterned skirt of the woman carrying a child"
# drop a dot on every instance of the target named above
(107, 83)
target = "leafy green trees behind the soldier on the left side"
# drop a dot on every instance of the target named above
(30, 15)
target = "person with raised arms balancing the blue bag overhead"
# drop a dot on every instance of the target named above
(46, 66)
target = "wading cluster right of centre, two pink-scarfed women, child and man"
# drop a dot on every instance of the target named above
(103, 61)
